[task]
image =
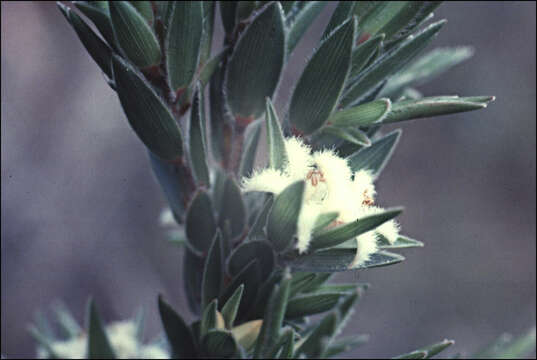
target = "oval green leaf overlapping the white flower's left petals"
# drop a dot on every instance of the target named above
(283, 217)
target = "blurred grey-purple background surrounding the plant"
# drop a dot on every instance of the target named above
(80, 205)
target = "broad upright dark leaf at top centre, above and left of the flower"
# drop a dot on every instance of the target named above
(254, 70)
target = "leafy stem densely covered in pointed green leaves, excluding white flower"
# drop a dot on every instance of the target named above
(253, 292)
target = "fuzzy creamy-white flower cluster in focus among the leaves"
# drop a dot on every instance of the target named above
(331, 186)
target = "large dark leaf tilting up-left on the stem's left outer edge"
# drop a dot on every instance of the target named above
(148, 116)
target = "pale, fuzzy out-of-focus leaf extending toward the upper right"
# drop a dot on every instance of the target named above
(426, 68)
